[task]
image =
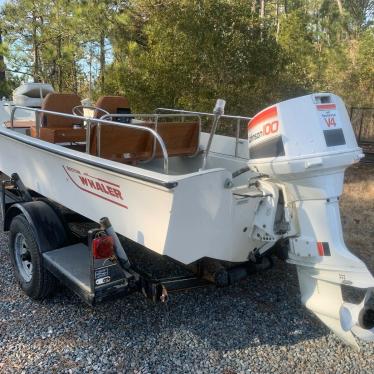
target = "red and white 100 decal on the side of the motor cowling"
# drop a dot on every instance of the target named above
(263, 124)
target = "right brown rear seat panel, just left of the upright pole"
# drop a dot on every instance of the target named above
(180, 138)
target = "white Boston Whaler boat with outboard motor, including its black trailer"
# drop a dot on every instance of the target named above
(219, 205)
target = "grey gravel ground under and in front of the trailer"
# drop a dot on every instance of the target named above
(257, 326)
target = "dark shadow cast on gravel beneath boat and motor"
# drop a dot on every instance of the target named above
(264, 310)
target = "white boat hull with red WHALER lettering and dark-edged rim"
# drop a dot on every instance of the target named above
(186, 217)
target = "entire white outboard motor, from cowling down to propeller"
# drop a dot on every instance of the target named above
(304, 146)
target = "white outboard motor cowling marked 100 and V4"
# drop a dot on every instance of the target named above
(301, 135)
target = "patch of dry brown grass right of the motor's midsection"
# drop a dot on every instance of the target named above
(357, 212)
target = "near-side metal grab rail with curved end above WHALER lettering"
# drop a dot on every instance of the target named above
(99, 121)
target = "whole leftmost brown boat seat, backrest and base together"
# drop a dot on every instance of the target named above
(58, 129)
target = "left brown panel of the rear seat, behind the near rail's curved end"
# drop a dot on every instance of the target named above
(122, 144)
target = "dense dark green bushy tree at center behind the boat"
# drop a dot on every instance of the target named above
(194, 54)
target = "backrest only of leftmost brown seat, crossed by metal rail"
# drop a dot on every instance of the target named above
(62, 103)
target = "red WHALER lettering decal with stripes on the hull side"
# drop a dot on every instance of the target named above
(98, 187)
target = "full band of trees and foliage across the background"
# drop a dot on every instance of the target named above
(186, 53)
